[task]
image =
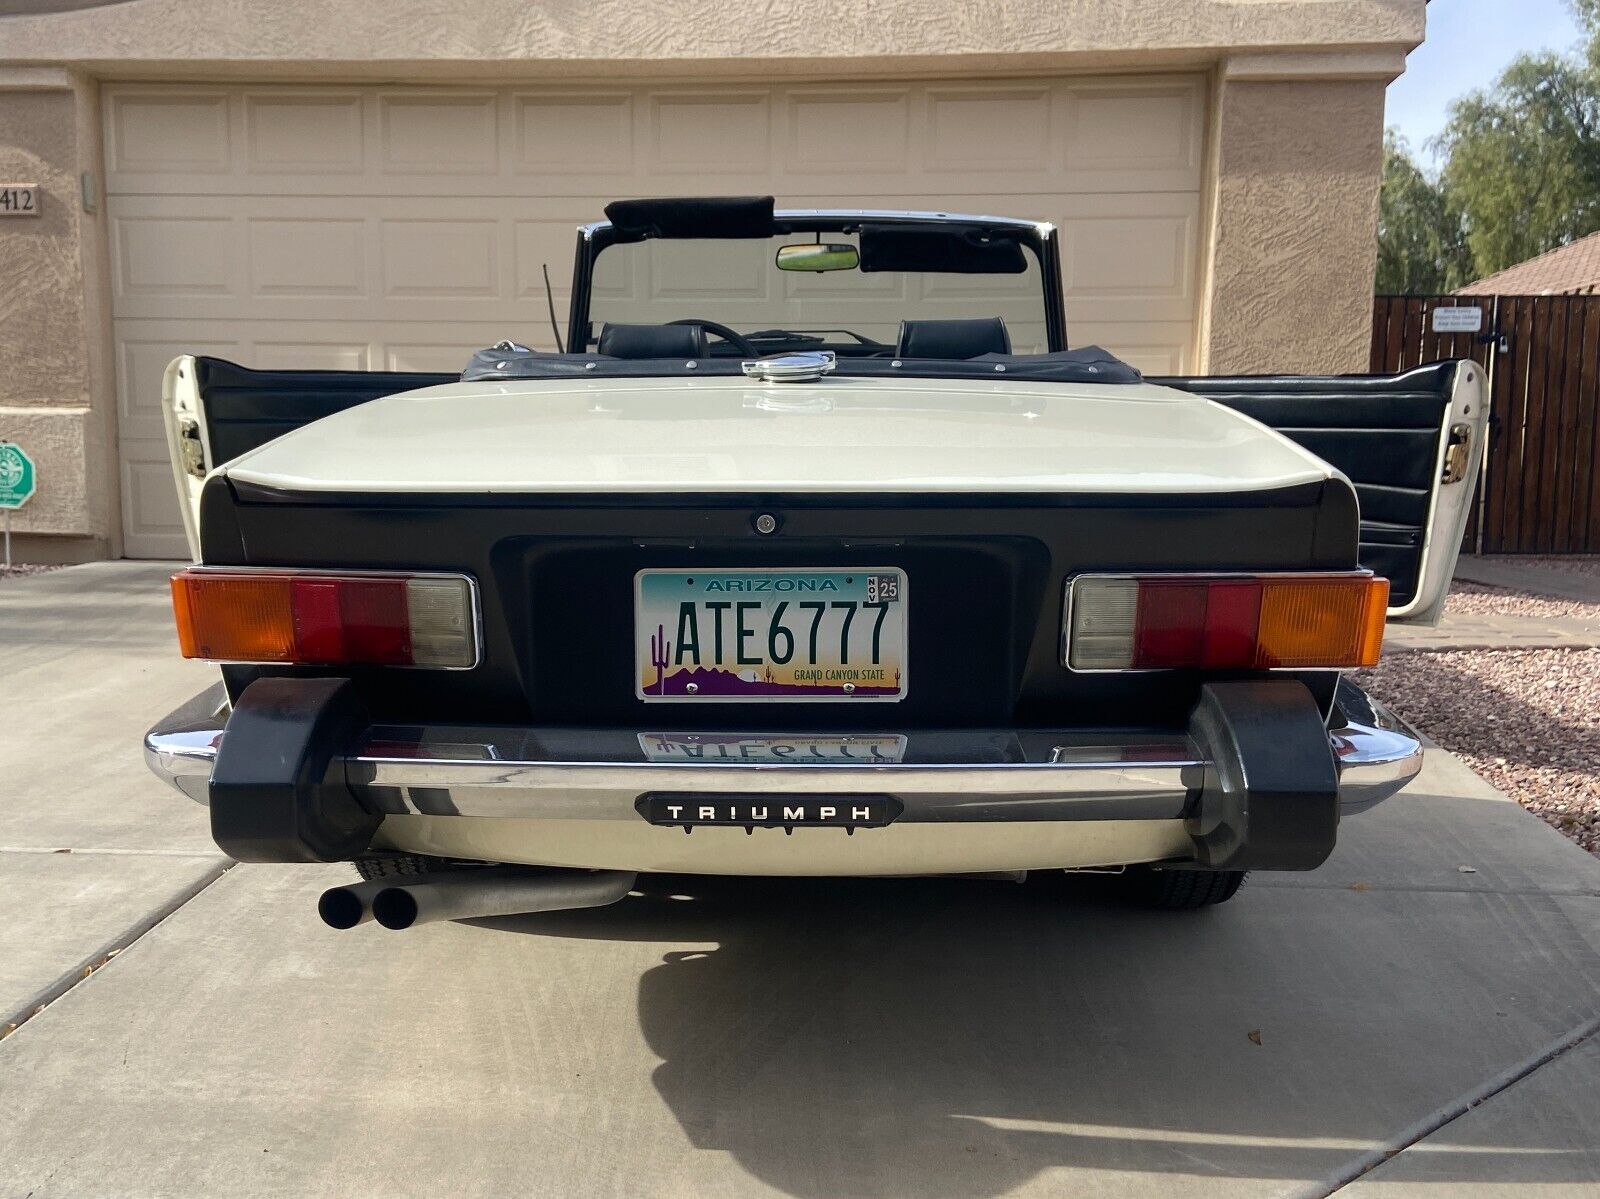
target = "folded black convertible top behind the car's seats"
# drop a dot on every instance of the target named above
(1087, 364)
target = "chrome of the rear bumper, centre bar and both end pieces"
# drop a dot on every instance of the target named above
(943, 776)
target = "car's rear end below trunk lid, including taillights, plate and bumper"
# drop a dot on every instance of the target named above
(1026, 681)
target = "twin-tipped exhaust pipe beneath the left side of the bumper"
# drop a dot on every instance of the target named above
(470, 894)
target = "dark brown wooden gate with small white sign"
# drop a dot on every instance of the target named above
(1538, 494)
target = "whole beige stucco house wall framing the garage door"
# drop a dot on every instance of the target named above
(1292, 188)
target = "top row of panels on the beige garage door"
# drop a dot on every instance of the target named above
(1065, 137)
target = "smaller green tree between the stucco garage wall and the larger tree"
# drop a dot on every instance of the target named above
(1422, 241)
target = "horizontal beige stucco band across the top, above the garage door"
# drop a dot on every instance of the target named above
(660, 38)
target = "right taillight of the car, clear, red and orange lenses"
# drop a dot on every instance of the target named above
(1225, 624)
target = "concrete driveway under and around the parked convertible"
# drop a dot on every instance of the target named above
(727, 1038)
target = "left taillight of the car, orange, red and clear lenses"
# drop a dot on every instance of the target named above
(322, 619)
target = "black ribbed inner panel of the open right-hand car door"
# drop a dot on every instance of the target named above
(1383, 431)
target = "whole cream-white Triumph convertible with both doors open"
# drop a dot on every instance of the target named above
(812, 550)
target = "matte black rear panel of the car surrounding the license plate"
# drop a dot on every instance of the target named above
(986, 579)
